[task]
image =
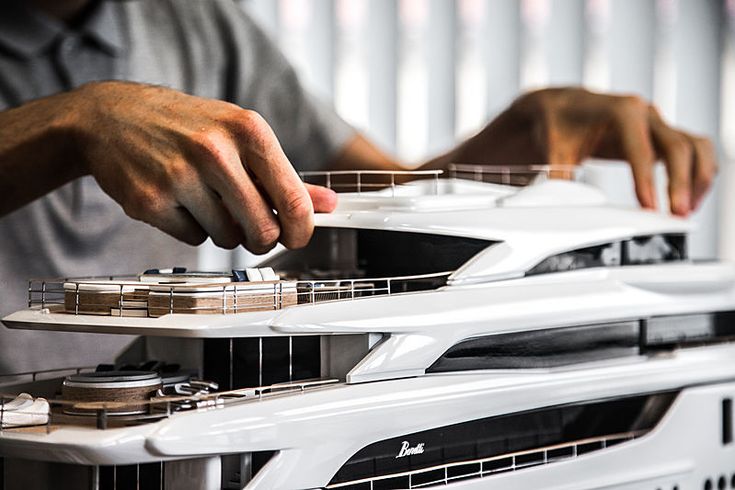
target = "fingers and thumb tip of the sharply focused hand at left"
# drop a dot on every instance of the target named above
(251, 176)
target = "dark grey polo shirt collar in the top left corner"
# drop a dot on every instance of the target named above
(28, 32)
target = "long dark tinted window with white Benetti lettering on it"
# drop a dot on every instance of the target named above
(497, 436)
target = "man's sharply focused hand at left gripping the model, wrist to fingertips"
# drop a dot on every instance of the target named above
(194, 167)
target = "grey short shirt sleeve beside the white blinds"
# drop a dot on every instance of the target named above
(260, 78)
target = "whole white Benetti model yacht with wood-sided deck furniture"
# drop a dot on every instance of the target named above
(519, 333)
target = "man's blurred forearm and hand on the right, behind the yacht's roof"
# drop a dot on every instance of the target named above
(568, 125)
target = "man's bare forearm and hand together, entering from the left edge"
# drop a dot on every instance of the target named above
(190, 166)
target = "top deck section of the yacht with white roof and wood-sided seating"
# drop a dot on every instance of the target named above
(384, 239)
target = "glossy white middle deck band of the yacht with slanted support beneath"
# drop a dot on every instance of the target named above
(416, 340)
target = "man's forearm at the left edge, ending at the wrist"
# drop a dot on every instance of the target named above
(37, 150)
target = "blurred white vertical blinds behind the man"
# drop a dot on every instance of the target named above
(417, 75)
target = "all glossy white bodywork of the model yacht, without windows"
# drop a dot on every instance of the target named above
(388, 393)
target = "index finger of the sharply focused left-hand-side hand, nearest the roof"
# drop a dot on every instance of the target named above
(262, 155)
